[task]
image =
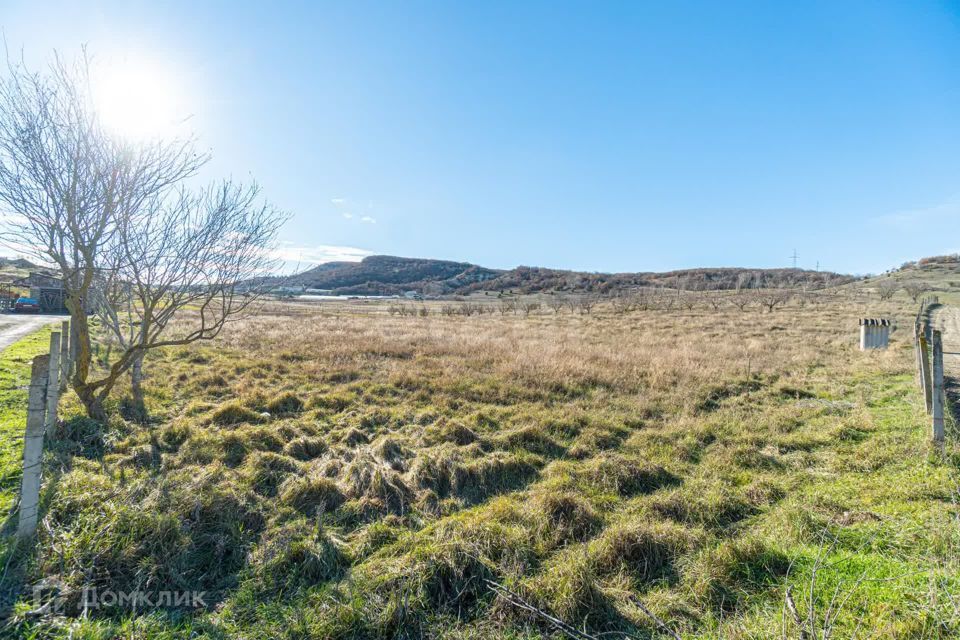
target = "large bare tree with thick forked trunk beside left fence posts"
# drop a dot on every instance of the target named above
(109, 214)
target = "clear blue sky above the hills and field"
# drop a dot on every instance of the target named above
(603, 136)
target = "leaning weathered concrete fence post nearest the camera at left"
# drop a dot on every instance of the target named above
(33, 448)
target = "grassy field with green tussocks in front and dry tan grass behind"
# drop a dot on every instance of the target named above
(335, 471)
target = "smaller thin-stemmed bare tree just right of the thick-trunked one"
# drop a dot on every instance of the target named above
(205, 251)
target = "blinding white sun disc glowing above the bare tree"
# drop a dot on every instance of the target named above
(137, 100)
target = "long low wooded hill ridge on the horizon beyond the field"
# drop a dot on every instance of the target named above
(389, 275)
